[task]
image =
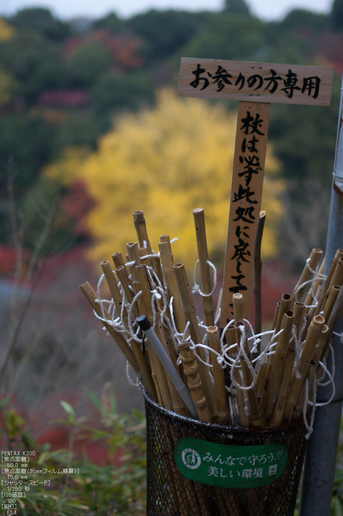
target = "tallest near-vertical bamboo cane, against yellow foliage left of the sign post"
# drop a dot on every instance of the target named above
(206, 286)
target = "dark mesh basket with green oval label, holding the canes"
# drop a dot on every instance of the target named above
(175, 493)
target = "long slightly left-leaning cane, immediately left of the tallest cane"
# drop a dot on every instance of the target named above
(190, 315)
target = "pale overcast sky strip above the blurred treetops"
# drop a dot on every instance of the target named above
(65, 9)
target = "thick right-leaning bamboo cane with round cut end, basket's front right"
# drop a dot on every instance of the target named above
(298, 378)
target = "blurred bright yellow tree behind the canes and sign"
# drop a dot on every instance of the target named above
(166, 162)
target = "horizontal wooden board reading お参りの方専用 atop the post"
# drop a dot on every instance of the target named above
(260, 82)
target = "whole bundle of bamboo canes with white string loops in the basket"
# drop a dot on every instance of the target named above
(228, 380)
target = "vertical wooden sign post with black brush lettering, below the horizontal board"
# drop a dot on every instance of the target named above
(246, 195)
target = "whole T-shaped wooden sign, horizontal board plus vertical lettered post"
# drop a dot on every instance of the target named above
(256, 86)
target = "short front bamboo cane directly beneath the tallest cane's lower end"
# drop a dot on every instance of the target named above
(218, 374)
